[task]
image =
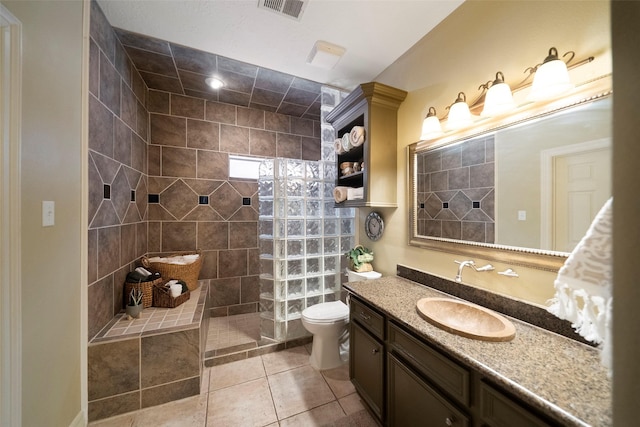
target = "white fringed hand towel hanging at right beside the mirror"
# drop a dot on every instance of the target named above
(584, 284)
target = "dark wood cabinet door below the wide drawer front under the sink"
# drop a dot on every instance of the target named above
(412, 402)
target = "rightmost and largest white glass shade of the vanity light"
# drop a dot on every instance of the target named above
(551, 79)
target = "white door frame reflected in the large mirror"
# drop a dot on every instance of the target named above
(546, 186)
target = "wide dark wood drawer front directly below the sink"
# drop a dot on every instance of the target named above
(448, 375)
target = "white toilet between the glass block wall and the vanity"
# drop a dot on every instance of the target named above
(328, 323)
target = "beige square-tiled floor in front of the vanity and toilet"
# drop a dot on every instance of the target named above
(274, 390)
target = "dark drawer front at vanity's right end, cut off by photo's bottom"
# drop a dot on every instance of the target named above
(499, 410)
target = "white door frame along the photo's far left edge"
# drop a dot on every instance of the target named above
(10, 224)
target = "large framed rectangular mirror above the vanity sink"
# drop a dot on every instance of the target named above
(522, 192)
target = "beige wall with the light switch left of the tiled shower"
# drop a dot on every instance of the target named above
(52, 141)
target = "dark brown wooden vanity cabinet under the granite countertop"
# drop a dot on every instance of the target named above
(406, 381)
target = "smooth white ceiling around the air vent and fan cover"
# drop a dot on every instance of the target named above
(374, 32)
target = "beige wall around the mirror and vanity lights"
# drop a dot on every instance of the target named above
(467, 49)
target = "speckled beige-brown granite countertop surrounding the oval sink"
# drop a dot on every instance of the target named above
(560, 377)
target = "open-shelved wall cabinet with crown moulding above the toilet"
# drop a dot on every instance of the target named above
(373, 106)
